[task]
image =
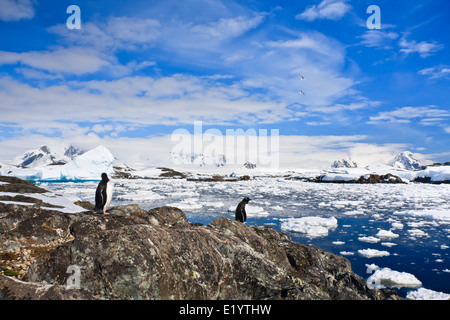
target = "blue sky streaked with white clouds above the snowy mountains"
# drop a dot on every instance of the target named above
(138, 70)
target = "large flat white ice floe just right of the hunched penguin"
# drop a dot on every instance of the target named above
(311, 226)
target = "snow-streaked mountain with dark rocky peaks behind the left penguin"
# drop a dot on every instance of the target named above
(45, 156)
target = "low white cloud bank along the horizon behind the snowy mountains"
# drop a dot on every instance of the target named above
(313, 152)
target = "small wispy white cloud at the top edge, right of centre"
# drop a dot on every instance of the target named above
(327, 9)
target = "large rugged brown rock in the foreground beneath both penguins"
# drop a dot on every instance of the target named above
(159, 254)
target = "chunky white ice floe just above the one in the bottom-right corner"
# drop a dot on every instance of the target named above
(387, 277)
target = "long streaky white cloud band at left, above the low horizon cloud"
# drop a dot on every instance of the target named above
(140, 100)
